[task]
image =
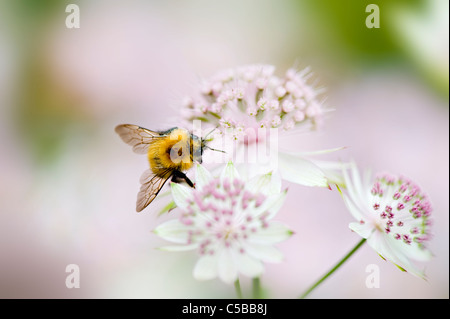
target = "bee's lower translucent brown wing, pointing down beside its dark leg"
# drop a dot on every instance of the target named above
(151, 185)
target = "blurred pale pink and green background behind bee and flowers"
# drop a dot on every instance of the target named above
(68, 183)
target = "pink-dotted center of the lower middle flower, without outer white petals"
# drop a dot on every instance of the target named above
(221, 214)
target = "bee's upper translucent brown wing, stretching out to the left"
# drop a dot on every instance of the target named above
(136, 136)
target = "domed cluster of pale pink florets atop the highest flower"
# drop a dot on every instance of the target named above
(252, 96)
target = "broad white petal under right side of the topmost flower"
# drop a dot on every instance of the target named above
(301, 171)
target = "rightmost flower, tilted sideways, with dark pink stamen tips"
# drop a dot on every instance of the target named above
(393, 215)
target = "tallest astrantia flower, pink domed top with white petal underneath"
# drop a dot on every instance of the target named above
(245, 103)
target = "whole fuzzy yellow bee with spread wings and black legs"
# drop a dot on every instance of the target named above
(169, 154)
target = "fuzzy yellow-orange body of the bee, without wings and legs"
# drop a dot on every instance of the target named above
(171, 152)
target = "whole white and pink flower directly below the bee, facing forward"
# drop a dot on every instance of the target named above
(229, 222)
